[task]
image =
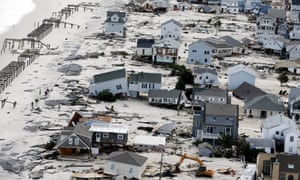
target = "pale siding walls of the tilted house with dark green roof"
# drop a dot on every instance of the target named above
(95, 88)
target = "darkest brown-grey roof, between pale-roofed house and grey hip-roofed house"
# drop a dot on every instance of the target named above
(247, 91)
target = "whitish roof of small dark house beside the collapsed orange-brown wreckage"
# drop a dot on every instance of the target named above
(111, 128)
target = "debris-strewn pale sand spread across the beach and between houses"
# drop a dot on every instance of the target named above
(24, 130)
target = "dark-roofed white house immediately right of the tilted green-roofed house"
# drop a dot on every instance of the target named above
(142, 82)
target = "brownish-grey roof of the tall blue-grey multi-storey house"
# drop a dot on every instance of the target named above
(221, 109)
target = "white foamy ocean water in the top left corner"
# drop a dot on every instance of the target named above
(12, 11)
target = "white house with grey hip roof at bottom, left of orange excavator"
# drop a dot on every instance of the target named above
(126, 164)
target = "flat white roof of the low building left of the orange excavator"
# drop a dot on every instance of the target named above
(150, 140)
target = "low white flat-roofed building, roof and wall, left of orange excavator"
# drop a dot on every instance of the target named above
(149, 143)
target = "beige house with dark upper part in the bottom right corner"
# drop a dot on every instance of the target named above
(278, 166)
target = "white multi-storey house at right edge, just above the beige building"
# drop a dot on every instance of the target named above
(281, 128)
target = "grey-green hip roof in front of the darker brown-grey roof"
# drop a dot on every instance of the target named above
(267, 102)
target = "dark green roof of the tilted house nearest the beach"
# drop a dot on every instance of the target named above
(107, 76)
